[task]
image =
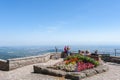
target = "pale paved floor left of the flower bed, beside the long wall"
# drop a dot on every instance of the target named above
(26, 73)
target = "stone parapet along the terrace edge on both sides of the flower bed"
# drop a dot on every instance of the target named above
(11, 64)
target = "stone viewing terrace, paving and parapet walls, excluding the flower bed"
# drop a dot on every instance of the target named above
(22, 68)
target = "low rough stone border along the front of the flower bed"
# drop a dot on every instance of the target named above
(71, 75)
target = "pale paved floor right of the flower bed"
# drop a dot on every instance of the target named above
(112, 74)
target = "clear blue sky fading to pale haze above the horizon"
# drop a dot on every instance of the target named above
(59, 22)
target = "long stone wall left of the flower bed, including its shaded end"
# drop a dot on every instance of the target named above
(11, 64)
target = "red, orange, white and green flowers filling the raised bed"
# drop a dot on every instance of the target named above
(77, 63)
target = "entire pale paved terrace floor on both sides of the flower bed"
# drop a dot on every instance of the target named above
(26, 73)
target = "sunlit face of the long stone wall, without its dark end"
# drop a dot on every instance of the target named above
(20, 62)
